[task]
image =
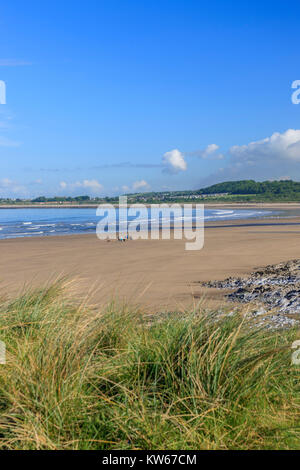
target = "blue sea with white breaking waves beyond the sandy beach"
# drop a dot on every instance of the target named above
(44, 222)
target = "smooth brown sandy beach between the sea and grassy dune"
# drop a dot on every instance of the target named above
(156, 274)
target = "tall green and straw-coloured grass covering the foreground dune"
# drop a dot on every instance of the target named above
(82, 378)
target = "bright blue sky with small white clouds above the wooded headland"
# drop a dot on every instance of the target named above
(106, 97)
